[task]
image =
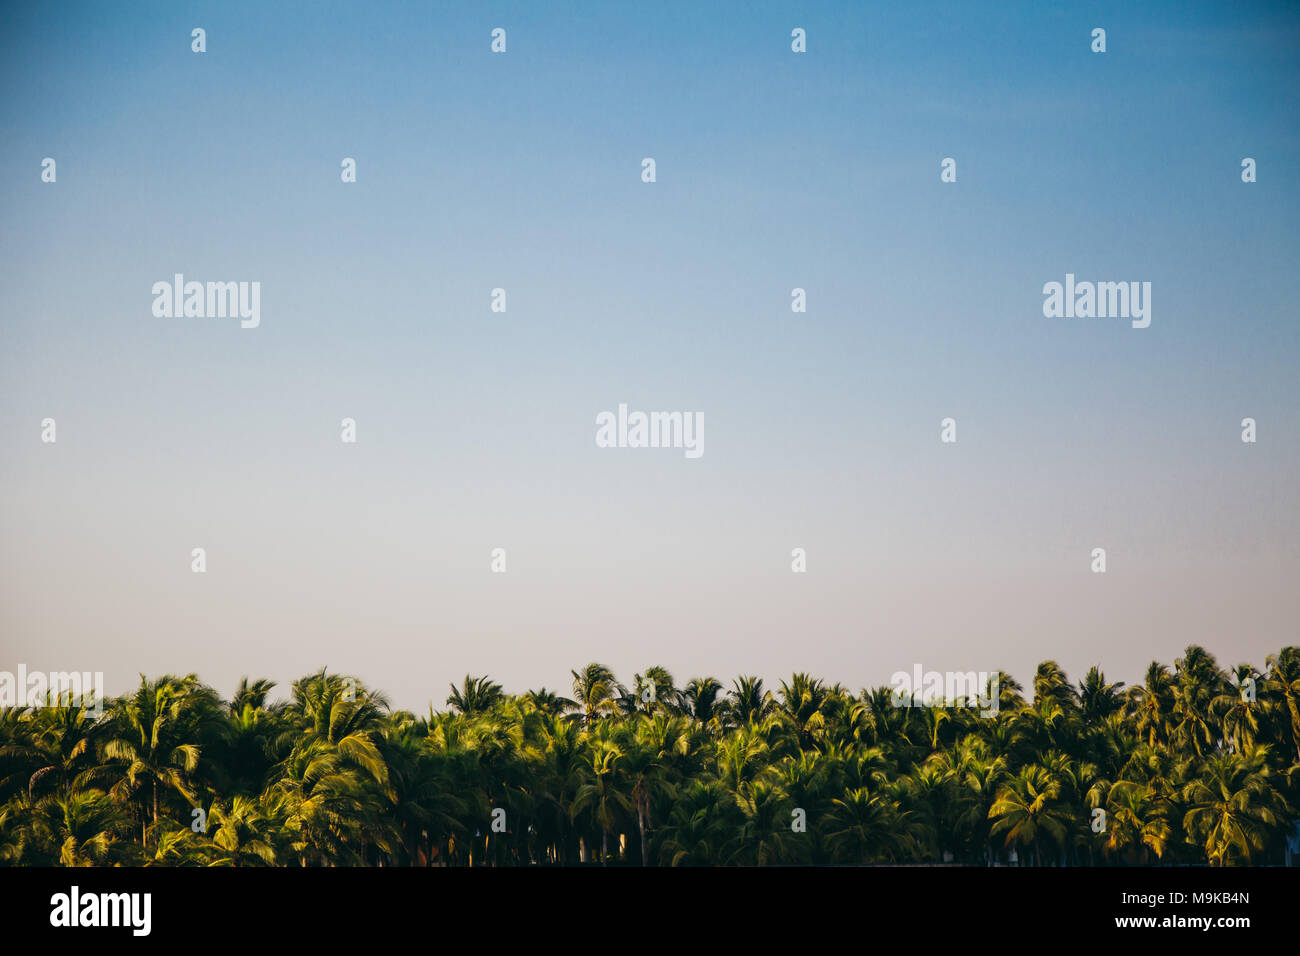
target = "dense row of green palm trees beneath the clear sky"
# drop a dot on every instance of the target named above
(1195, 765)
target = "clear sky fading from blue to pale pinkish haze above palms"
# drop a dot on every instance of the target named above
(476, 430)
